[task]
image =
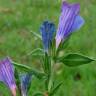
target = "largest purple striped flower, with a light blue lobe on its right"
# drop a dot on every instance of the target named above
(69, 21)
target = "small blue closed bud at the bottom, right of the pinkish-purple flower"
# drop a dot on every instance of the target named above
(25, 83)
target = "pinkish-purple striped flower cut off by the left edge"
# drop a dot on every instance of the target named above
(7, 74)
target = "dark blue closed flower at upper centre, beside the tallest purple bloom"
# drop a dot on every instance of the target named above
(47, 30)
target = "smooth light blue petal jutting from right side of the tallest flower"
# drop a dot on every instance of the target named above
(79, 22)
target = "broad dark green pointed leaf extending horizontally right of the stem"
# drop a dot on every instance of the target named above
(75, 60)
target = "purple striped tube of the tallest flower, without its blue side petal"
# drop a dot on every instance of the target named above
(66, 21)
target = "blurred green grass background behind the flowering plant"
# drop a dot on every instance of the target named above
(19, 18)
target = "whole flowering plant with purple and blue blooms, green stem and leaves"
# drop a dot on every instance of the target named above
(53, 43)
